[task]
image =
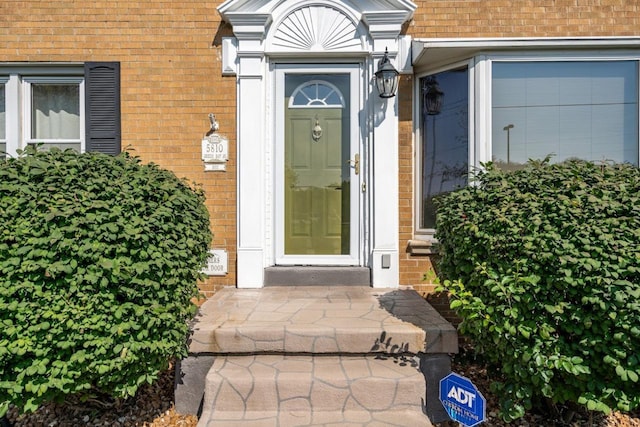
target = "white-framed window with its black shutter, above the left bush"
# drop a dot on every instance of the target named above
(76, 107)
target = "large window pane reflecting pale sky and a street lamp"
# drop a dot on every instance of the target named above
(578, 109)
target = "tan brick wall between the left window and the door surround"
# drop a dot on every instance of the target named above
(170, 73)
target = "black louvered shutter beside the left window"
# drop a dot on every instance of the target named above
(102, 107)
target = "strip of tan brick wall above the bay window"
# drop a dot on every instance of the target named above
(525, 18)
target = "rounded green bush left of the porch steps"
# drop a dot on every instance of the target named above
(99, 261)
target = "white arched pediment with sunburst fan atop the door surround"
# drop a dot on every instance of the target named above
(316, 26)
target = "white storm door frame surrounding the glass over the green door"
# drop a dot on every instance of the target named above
(356, 105)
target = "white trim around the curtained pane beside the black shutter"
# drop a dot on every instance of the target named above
(26, 111)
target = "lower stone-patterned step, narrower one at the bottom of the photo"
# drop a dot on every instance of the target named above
(289, 390)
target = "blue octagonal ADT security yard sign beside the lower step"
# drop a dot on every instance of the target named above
(462, 400)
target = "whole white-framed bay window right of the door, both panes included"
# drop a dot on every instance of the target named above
(564, 104)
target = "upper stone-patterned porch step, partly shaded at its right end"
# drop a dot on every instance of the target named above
(320, 319)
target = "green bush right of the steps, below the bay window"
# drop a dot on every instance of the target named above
(544, 269)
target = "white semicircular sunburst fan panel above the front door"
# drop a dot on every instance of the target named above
(317, 28)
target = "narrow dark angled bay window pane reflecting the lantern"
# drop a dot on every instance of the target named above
(445, 138)
